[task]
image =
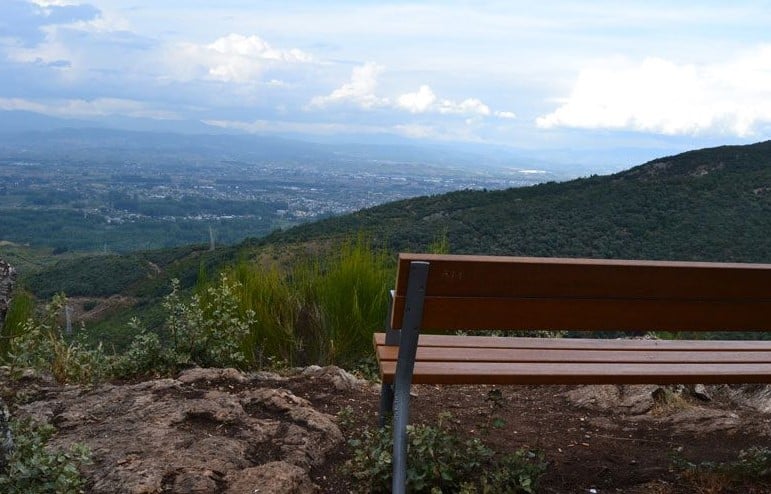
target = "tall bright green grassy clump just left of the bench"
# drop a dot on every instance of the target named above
(320, 310)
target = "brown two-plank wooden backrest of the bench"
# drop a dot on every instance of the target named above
(525, 293)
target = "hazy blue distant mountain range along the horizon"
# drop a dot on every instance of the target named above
(183, 139)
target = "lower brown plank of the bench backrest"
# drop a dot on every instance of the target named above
(470, 313)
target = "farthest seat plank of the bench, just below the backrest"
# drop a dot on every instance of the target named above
(443, 340)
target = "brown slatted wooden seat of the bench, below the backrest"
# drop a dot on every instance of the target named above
(443, 359)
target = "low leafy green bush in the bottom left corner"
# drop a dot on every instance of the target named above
(34, 468)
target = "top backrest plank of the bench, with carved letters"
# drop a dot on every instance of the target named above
(499, 276)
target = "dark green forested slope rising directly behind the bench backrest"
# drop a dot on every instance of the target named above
(710, 204)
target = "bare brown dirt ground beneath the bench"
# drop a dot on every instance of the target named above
(592, 445)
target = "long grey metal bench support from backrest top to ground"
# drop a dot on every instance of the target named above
(405, 365)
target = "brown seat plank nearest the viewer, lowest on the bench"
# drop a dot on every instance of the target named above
(586, 373)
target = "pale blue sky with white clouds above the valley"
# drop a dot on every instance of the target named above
(558, 75)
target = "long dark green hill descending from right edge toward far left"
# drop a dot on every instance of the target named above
(710, 204)
